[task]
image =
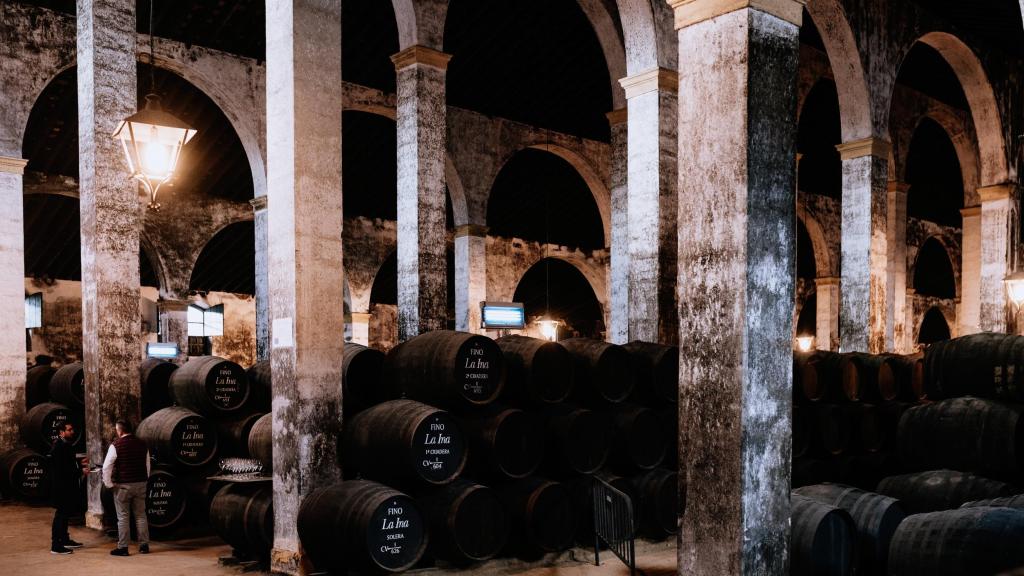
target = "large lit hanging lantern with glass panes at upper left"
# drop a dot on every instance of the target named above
(152, 141)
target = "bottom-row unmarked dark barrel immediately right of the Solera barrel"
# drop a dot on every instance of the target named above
(467, 522)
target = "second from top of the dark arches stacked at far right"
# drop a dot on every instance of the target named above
(933, 173)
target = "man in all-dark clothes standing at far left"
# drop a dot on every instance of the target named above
(66, 491)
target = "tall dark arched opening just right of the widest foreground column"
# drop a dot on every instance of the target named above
(818, 135)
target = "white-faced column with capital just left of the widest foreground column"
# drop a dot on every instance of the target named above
(653, 205)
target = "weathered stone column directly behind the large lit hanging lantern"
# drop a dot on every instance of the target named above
(110, 210)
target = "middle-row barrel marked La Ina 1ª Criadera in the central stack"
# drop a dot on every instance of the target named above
(404, 442)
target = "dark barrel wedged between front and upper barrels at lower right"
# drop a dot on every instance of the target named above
(941, 490)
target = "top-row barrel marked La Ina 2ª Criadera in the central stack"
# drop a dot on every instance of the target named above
(446, 368)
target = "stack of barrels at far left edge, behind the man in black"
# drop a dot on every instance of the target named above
(54, 397)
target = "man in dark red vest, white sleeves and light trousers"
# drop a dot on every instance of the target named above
(126, 471)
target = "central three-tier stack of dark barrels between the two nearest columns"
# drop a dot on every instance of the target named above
(458, 448)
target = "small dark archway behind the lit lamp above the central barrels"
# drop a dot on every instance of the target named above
(558, 289)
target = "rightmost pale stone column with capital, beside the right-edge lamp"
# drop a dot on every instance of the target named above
(997, 211)
